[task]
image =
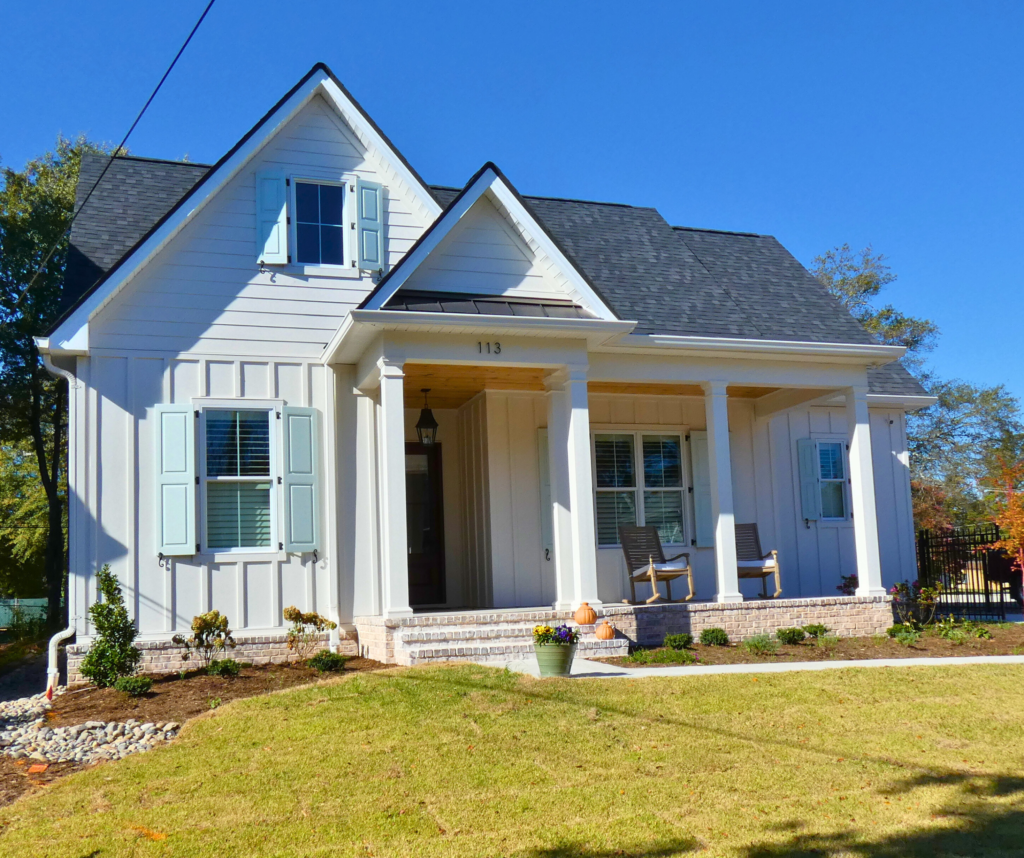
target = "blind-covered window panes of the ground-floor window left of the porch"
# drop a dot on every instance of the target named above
(238, 480)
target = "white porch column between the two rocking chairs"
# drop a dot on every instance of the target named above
(720, 465)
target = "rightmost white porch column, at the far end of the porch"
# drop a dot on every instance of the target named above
(866, 525)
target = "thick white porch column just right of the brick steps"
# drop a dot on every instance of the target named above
(573, 482)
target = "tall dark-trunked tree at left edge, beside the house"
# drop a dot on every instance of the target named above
(36, 207)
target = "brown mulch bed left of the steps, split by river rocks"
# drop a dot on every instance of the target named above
(173, 699)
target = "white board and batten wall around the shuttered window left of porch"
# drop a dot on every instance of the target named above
(115, 473)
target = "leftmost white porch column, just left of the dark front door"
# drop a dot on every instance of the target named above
(395, 538)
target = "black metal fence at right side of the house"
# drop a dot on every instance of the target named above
(977, 582)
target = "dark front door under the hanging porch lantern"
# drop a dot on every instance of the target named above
(424, 516)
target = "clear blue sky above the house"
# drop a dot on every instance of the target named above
(900, 125)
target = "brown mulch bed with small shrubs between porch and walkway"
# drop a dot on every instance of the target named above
(1007, 640)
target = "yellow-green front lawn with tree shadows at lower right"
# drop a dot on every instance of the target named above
(471, 761)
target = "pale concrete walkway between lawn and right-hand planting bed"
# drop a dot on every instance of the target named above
(585, 669)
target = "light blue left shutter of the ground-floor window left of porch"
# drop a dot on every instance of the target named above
(176, 459)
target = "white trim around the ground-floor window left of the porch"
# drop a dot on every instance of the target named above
(274, 407)
